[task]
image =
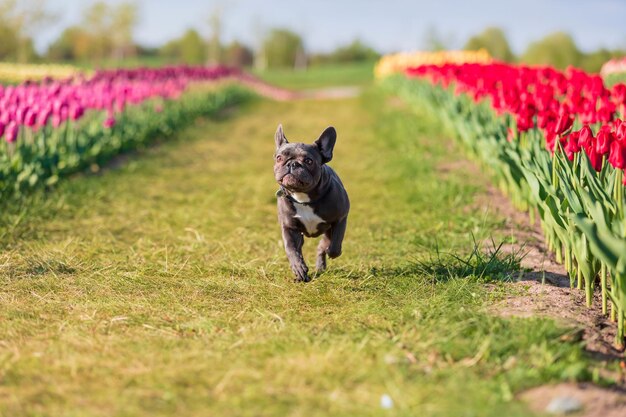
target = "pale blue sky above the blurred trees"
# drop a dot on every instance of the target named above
(388, 25)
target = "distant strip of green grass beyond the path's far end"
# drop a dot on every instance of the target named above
(349, 74)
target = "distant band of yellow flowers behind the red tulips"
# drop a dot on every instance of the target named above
(399, 62)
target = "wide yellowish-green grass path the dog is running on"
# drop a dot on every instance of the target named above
(161, 287)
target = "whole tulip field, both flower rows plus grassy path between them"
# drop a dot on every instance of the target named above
(160, 287)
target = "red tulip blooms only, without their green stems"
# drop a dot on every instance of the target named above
(549, 100)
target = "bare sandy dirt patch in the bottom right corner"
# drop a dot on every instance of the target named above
(595, 401)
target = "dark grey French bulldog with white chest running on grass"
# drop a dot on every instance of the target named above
(312, 201)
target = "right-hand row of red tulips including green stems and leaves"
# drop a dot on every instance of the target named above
(557, 143)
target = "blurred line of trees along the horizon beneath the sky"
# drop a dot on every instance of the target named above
(106, 33)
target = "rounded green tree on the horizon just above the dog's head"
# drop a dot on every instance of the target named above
(283, 48)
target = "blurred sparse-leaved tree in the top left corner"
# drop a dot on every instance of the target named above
(21, 21)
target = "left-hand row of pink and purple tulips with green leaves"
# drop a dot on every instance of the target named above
(56, 127)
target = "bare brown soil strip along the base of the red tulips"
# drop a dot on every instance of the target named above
(544, 290)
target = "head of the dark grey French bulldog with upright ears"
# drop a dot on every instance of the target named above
(298, 166)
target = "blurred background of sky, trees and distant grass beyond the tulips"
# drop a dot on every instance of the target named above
(272, 37)
